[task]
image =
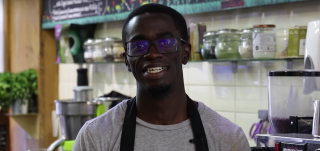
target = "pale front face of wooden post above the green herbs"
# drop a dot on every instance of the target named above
(24, 34)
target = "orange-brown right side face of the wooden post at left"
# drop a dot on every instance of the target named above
(48, 88)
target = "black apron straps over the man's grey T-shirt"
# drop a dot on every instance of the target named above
(129, 127)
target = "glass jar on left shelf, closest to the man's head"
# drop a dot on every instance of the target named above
(108, 46)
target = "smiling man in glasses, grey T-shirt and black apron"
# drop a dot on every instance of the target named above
(161, 117)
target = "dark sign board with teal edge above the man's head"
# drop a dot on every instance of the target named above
(97, 11)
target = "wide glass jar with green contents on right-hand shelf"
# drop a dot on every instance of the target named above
(228, 42)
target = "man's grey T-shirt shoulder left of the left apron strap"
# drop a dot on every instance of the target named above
(103, 131)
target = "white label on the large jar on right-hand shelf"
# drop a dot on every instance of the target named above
(264, 42)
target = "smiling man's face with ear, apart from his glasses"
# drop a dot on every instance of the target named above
(154, 71)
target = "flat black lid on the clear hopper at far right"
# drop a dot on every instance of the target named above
(296, 73)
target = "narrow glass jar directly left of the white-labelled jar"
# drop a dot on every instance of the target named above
(245, 48)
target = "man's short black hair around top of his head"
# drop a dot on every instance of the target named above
(178, 19)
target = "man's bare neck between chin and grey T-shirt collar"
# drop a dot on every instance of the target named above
(167, 109)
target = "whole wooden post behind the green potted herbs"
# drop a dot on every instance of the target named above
(28, 46)
